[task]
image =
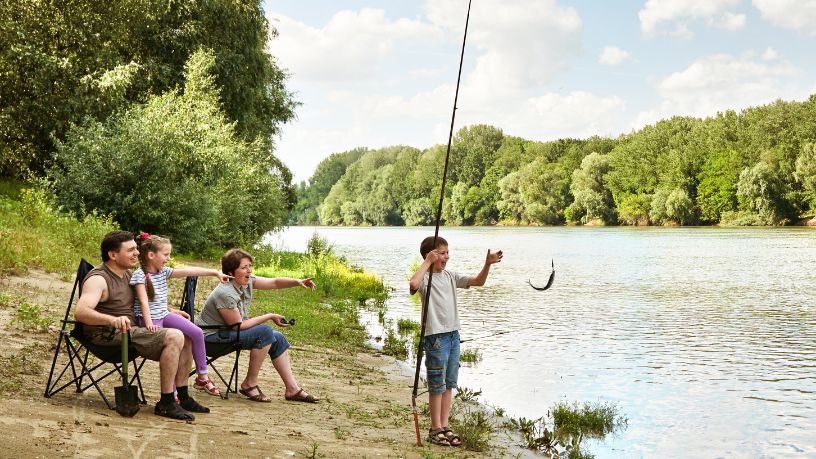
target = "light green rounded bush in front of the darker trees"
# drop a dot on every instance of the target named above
(173, 166)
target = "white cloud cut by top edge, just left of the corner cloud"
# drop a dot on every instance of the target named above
(656, 13)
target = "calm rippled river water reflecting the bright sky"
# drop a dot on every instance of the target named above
(705, 338)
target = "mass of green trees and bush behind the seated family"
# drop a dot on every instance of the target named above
(158, 114)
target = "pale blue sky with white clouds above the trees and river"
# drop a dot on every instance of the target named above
(380, 73)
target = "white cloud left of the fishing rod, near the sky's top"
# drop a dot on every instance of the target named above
(351, 46)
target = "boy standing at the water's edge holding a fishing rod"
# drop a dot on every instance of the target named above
(441, 341)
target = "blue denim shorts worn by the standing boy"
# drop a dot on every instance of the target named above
(442, 361)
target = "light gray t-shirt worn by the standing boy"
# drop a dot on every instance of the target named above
(443, 313)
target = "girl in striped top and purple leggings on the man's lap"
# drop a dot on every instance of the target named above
(150, 307)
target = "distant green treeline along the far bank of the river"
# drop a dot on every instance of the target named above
(756, 167)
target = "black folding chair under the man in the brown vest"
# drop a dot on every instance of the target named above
(80, 370)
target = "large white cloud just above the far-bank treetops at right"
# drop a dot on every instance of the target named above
(720, 82)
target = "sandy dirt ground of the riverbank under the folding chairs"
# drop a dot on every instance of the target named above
(364, 409)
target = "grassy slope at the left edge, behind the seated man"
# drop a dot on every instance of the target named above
(35, 234)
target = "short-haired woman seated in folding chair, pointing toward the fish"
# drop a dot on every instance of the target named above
(229, 303)
